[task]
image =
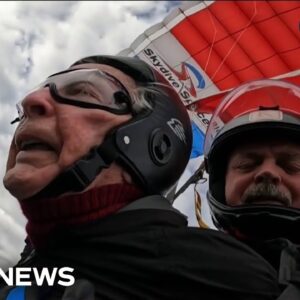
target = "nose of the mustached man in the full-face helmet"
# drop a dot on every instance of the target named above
(268, 171)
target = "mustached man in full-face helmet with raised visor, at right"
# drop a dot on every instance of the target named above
(252, 154)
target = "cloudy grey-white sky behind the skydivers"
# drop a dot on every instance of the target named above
(43, 37)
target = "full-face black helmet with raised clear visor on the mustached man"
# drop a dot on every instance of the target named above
(255, 110)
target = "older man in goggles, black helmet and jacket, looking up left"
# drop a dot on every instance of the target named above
(96, 148)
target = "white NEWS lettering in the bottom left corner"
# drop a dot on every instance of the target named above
(21, 276)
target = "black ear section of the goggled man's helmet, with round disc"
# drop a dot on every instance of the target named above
(155, 145)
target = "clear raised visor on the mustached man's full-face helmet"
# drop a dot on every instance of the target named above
(263, 100)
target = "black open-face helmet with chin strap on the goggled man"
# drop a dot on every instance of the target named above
(154, 146)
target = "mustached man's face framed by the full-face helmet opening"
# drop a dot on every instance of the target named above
(264, 173)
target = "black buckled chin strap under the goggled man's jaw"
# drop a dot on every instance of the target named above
(82, 173)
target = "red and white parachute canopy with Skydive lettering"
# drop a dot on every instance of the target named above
(206, 48)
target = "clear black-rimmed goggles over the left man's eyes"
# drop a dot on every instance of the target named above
(86, 88)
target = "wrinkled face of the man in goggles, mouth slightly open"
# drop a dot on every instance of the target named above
(52, 136)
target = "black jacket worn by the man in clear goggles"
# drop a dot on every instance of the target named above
(146, 251)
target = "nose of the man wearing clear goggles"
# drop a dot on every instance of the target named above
(38, 103)
